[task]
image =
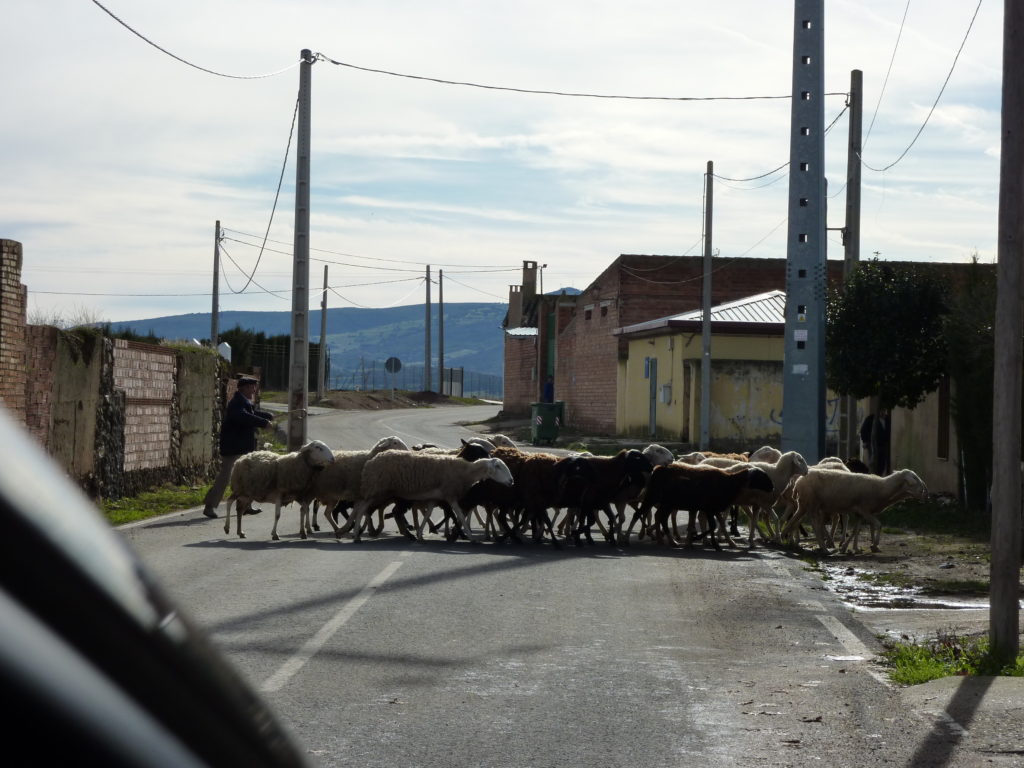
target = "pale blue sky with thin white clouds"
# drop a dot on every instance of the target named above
(117, 158)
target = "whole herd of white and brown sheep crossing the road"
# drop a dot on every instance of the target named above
(511, 493)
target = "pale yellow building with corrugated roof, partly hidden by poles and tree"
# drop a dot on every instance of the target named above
(659, 390)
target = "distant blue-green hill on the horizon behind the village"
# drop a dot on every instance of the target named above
(359, 338)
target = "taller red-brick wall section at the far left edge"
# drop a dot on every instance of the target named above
(13, 309)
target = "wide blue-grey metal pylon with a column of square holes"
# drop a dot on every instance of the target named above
(803, 371)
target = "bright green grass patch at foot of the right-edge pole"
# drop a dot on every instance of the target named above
(913, 664)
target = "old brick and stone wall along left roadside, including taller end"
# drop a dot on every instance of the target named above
(118, 416)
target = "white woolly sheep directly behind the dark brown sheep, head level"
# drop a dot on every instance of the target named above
(414, 477)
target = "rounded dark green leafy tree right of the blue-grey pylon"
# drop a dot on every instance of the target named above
(885, 336)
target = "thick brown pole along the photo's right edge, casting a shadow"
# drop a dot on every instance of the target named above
(1005, 611)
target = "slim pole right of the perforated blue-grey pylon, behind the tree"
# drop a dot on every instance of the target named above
(849, 438)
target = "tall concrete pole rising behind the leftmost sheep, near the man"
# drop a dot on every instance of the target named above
(298, 378)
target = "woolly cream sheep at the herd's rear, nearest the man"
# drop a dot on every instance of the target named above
(266, 477)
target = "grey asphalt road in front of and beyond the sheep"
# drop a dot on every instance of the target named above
(397, 654)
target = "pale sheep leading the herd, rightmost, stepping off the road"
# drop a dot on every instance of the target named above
(824, 493)
